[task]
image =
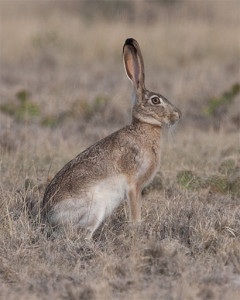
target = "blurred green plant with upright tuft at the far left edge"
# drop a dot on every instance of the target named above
(23, 109)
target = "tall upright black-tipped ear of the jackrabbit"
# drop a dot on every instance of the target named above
(133, 63)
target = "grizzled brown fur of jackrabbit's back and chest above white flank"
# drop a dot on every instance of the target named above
(92, 164)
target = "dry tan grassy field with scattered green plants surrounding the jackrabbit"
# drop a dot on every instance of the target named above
(62, 88)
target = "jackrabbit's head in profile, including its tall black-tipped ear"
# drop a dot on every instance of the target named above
(148, 107)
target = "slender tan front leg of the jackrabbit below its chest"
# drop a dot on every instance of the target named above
(135, 203)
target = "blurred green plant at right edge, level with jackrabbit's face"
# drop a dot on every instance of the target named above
(226, 98)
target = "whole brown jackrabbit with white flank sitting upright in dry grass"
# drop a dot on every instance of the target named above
(92, 185)
